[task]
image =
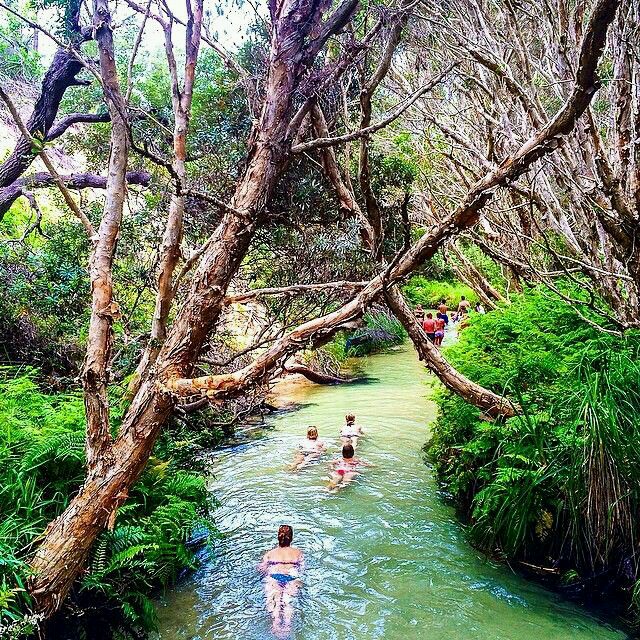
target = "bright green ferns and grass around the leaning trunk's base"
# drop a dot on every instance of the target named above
(41, 468)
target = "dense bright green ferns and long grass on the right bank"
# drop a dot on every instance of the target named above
(558, 487)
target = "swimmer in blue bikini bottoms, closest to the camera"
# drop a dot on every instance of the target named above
(282, 567)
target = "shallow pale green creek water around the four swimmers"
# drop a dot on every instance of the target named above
(385, 558)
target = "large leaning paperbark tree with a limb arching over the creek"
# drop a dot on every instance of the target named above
(297, 36)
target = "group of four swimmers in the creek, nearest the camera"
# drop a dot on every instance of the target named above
(282, 566)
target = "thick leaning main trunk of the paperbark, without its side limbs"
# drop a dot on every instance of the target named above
(66, 545)
